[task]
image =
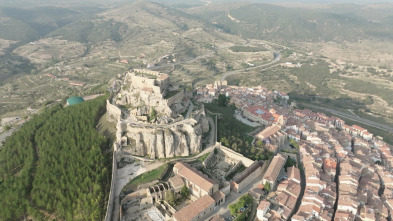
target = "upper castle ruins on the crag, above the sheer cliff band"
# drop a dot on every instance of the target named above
(144, 91)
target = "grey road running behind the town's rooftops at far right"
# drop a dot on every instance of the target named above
(353, 118)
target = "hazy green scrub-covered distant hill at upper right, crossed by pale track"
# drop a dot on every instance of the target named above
(263, 21)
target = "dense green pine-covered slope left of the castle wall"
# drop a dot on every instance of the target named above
(56, 166)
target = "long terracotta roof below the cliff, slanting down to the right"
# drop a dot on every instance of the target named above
(195, 176)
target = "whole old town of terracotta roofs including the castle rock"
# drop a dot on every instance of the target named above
(319, 168)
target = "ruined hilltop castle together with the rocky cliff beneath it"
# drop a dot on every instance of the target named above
(167, 133)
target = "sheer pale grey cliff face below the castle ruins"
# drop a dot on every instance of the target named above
(179, 139)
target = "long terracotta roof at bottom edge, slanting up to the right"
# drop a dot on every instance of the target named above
(194, 209)
